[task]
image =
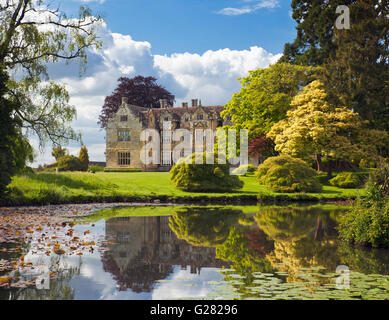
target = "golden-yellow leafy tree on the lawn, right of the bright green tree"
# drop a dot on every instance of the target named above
(317, 128)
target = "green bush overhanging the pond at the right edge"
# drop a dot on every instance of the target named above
(366, 225)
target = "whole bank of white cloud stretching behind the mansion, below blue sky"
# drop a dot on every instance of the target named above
(210, 76)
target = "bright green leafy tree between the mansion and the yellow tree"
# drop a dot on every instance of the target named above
(266, 94)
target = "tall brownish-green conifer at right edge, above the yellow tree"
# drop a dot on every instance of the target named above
(357, 72)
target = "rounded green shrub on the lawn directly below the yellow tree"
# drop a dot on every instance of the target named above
(286, 174)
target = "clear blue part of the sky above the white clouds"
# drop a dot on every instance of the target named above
(199, 25)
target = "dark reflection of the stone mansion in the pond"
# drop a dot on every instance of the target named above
(146, 250)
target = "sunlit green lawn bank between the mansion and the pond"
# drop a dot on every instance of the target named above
(80, 187)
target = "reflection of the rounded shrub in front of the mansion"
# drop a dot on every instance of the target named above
(206, 227)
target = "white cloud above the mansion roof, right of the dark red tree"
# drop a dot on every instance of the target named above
(212, 75)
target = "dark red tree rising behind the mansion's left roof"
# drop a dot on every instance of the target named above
(140, 91)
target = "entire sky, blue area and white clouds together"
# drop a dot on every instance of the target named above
(195, 48)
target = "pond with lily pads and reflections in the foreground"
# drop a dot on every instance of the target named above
(189, 252)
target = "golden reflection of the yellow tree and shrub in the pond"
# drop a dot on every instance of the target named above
(304, 237)
